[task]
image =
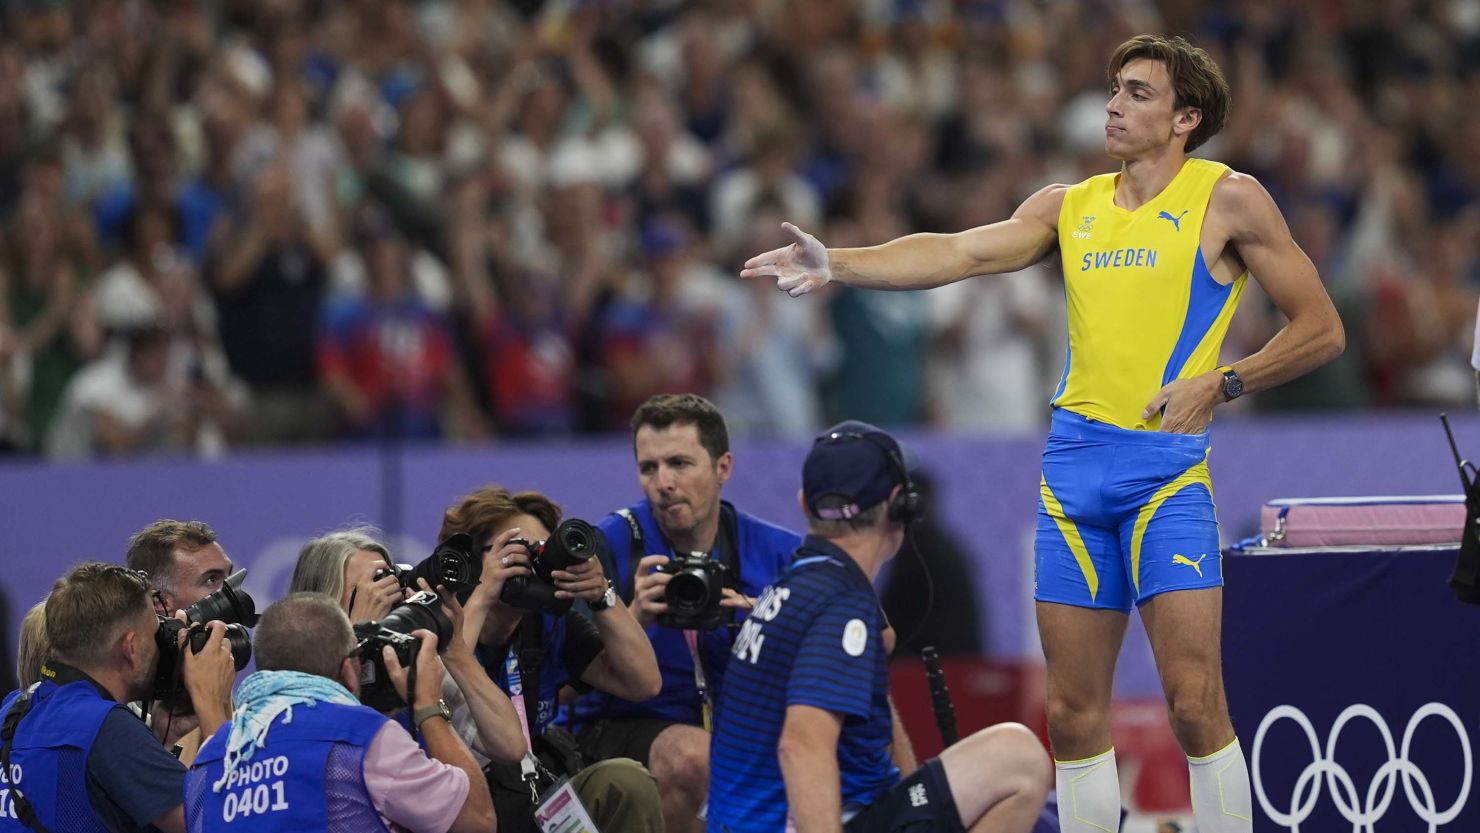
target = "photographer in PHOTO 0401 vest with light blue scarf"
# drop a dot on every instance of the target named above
(303, 754)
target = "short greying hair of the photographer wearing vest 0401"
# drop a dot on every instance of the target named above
(279, 643)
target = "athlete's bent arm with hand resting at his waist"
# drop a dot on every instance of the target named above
(1313, 335)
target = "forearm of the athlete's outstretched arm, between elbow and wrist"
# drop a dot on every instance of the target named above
(920, 261)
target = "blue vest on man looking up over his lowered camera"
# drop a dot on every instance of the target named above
(763, 550)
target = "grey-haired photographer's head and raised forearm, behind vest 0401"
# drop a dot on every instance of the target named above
(357, 570)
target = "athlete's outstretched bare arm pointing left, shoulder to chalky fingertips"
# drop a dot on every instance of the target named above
(918, 261)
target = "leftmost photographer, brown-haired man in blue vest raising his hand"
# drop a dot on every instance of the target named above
(72, 736)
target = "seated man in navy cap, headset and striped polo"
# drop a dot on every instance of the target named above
(803, 730)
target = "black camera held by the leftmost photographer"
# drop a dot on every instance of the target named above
(232, 606)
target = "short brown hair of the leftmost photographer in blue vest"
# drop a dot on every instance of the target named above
(90, 606)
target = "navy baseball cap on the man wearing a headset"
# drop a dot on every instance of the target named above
(853, 467)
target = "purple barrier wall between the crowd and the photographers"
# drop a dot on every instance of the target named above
(266, 505)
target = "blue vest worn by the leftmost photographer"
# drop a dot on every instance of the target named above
(50, 758)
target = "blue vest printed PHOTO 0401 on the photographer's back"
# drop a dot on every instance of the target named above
(309, 776)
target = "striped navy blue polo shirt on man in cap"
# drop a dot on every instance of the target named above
(815, 638)
